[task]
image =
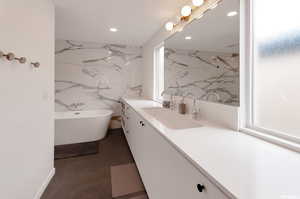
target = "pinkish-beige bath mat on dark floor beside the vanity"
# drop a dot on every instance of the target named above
(125, 180)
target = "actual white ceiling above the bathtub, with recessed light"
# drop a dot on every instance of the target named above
(90, 20)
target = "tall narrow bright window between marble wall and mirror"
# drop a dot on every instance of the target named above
(158, 72)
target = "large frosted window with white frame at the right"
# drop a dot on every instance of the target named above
(273, 77)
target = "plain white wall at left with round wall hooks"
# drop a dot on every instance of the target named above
(27, 98)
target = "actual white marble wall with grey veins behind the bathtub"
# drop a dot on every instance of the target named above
(95, 76)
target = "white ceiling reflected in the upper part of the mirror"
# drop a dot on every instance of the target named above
(213, 32)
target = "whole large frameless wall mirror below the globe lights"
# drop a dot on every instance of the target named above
(202, 61)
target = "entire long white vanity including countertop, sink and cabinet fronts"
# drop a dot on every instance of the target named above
(204, 160)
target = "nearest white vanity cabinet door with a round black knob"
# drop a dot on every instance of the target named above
(167, 174)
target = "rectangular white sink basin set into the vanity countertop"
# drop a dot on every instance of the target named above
(172, 119)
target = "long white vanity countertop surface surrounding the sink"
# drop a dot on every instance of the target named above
(241, 165)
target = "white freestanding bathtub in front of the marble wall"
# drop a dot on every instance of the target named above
(81, 126)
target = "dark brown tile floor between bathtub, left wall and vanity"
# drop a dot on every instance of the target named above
(88, 177)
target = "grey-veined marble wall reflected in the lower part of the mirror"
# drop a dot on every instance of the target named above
(209, 76)
